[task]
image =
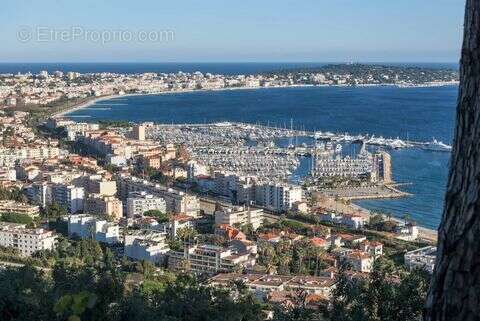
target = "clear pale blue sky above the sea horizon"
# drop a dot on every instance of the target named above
(221, 31)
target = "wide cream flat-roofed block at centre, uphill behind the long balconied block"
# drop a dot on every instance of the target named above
(239, 216)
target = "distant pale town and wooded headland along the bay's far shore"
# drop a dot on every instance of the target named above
(44, 88)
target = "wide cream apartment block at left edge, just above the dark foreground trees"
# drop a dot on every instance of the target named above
(27, 241)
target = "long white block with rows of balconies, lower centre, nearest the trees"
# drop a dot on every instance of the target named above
(209, 259)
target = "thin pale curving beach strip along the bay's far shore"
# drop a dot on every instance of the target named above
(108, 97)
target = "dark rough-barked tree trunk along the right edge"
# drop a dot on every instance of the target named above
(455, 290)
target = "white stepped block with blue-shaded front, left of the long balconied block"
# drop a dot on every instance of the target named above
(146, 245)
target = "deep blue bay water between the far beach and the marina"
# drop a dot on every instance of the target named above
(416, 113)
